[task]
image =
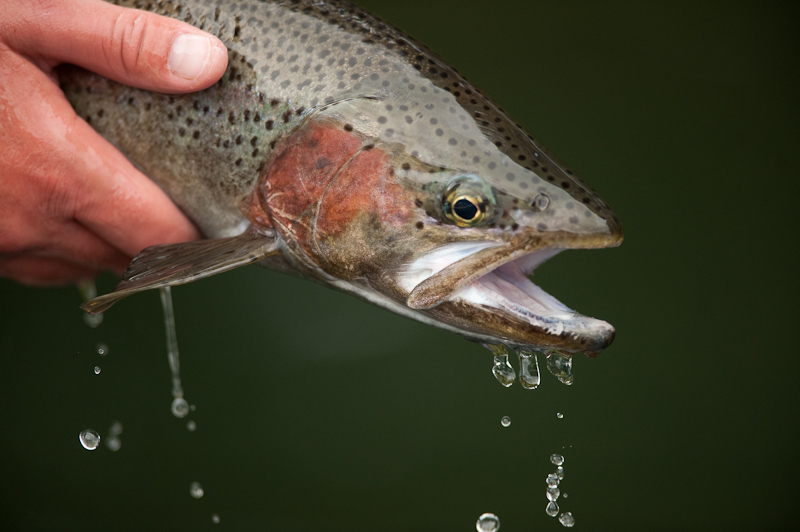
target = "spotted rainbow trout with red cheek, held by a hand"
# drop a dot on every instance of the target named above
(339, 149)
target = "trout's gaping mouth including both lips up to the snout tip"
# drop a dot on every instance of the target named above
(495, 281)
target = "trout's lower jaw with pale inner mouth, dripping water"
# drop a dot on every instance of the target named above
(509, 290)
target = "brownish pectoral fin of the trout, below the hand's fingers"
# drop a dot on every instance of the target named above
(172, 264)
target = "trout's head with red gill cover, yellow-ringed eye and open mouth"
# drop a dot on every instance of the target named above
(447, 240)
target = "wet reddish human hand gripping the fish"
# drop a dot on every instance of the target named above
(71, 205)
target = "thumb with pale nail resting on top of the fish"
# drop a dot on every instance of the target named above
(131, 46)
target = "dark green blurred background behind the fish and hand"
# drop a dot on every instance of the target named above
(317, 411)
